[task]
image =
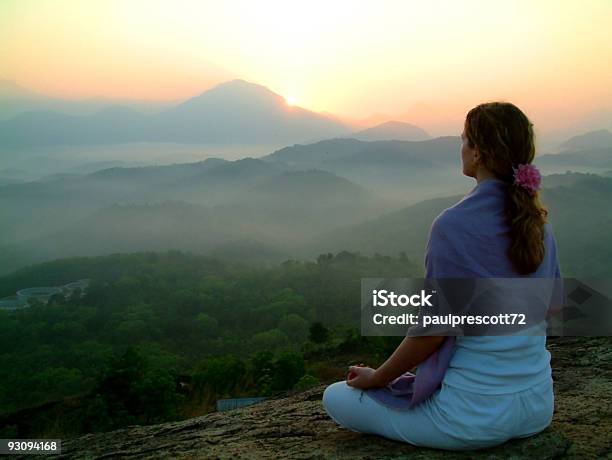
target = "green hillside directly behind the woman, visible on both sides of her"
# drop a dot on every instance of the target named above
(583, 233)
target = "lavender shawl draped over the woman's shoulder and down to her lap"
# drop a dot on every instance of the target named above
(451, 253)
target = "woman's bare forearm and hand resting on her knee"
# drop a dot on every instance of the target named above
(411, 352)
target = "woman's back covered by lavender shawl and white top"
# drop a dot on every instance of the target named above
(470, 240)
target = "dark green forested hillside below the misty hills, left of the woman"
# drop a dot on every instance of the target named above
(151, 321)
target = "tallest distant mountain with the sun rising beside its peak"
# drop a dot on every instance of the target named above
(236, 112)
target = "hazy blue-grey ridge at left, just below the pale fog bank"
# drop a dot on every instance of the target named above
(33, 209)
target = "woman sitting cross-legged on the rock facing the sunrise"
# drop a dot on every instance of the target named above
(494, 388)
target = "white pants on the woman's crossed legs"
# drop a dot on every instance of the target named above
(451, 418)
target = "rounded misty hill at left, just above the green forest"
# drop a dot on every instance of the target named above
(156, 226)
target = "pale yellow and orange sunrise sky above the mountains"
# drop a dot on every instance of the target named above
(414, 60)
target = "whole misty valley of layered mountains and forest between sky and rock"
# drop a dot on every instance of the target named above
(216, 276)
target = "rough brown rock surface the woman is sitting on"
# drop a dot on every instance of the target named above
(297, 426)
